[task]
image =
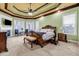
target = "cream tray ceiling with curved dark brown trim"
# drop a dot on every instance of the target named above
(21, 9)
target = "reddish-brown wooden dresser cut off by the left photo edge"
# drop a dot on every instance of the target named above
(3, 41)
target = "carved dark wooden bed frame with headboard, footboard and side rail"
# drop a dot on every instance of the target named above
(40, 41)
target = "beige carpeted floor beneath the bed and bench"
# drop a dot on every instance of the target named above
(16, 47)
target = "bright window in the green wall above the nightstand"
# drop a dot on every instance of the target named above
(69, 24)
